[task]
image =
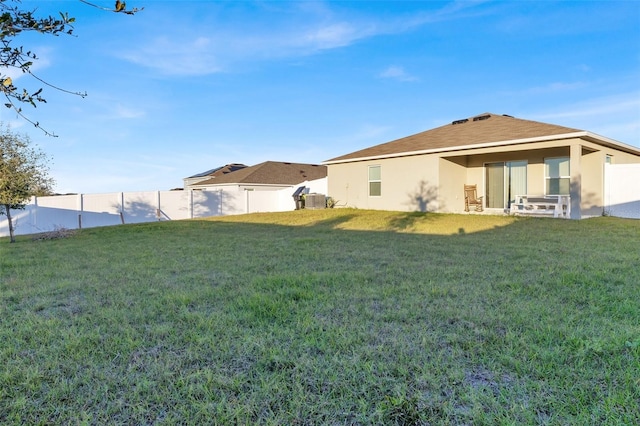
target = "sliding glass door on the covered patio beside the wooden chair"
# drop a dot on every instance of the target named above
(503, 181)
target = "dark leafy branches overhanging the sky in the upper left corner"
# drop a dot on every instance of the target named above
(15, 21)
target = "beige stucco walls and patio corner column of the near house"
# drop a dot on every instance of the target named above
(434, 182)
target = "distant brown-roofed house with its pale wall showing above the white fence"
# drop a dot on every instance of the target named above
(270, 175)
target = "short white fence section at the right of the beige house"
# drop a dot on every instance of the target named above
(622, 190)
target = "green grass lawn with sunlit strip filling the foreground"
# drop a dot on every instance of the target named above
(325, 317)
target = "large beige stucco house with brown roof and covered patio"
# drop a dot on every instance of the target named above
(504, 156)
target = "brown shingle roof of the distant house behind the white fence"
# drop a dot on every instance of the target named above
(271, 173)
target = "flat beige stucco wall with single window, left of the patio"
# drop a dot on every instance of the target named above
(408, 184)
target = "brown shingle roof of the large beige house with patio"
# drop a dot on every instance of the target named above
(481, 129)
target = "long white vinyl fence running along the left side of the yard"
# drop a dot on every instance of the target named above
(45, 214)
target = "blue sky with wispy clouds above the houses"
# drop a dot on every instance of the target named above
(183, 87)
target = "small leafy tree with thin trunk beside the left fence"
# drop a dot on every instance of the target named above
(24, 172)
